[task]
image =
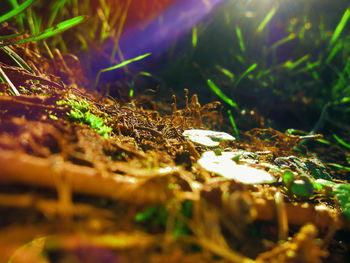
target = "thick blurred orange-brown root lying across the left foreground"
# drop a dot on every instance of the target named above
(22, 168)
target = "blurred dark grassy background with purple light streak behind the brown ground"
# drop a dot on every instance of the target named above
(286, 61)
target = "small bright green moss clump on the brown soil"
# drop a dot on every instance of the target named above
(81, 111)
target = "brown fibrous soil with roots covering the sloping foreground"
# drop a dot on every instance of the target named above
(70, 194)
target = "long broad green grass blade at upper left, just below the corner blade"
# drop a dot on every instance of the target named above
(52, 31)
